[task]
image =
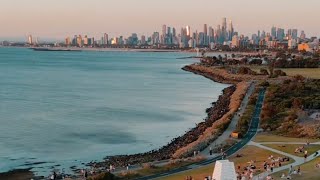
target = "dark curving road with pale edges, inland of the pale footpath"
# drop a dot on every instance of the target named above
(245, 140)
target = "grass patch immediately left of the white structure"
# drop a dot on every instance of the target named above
(197, 174)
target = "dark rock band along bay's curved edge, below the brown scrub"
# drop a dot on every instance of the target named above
(214, 113)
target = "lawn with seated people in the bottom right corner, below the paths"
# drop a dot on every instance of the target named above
(309, 171)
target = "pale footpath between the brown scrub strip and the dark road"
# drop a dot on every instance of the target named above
(232, 126)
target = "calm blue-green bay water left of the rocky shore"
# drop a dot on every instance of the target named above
(60, 109)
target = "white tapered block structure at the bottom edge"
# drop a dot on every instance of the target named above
(224, 170)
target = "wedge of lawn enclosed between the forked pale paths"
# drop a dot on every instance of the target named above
(290, 148)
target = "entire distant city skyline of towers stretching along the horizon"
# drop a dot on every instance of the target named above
(224, 35)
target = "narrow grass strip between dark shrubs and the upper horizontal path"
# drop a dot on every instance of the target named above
(264, 137)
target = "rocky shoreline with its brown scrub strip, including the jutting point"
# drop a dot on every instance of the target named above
(218, 114)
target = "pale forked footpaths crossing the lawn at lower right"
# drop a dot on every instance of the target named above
(298, 160)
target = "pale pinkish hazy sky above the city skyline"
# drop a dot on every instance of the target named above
(56, 19)
